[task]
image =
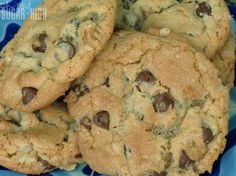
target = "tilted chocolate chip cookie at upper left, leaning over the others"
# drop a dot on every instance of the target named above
(46, 55)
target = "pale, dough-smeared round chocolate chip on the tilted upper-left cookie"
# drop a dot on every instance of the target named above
(65, 50)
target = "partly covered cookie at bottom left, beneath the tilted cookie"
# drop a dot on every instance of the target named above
(34, 143)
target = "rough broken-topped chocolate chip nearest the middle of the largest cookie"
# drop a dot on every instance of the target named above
(162, 102)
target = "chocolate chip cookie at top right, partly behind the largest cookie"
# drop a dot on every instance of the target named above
(204, 23)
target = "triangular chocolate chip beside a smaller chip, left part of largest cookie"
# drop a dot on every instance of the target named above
(102, 119)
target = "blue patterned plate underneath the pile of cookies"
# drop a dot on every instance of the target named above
(12, 15)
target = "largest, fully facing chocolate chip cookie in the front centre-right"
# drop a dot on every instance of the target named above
(150, 106)
